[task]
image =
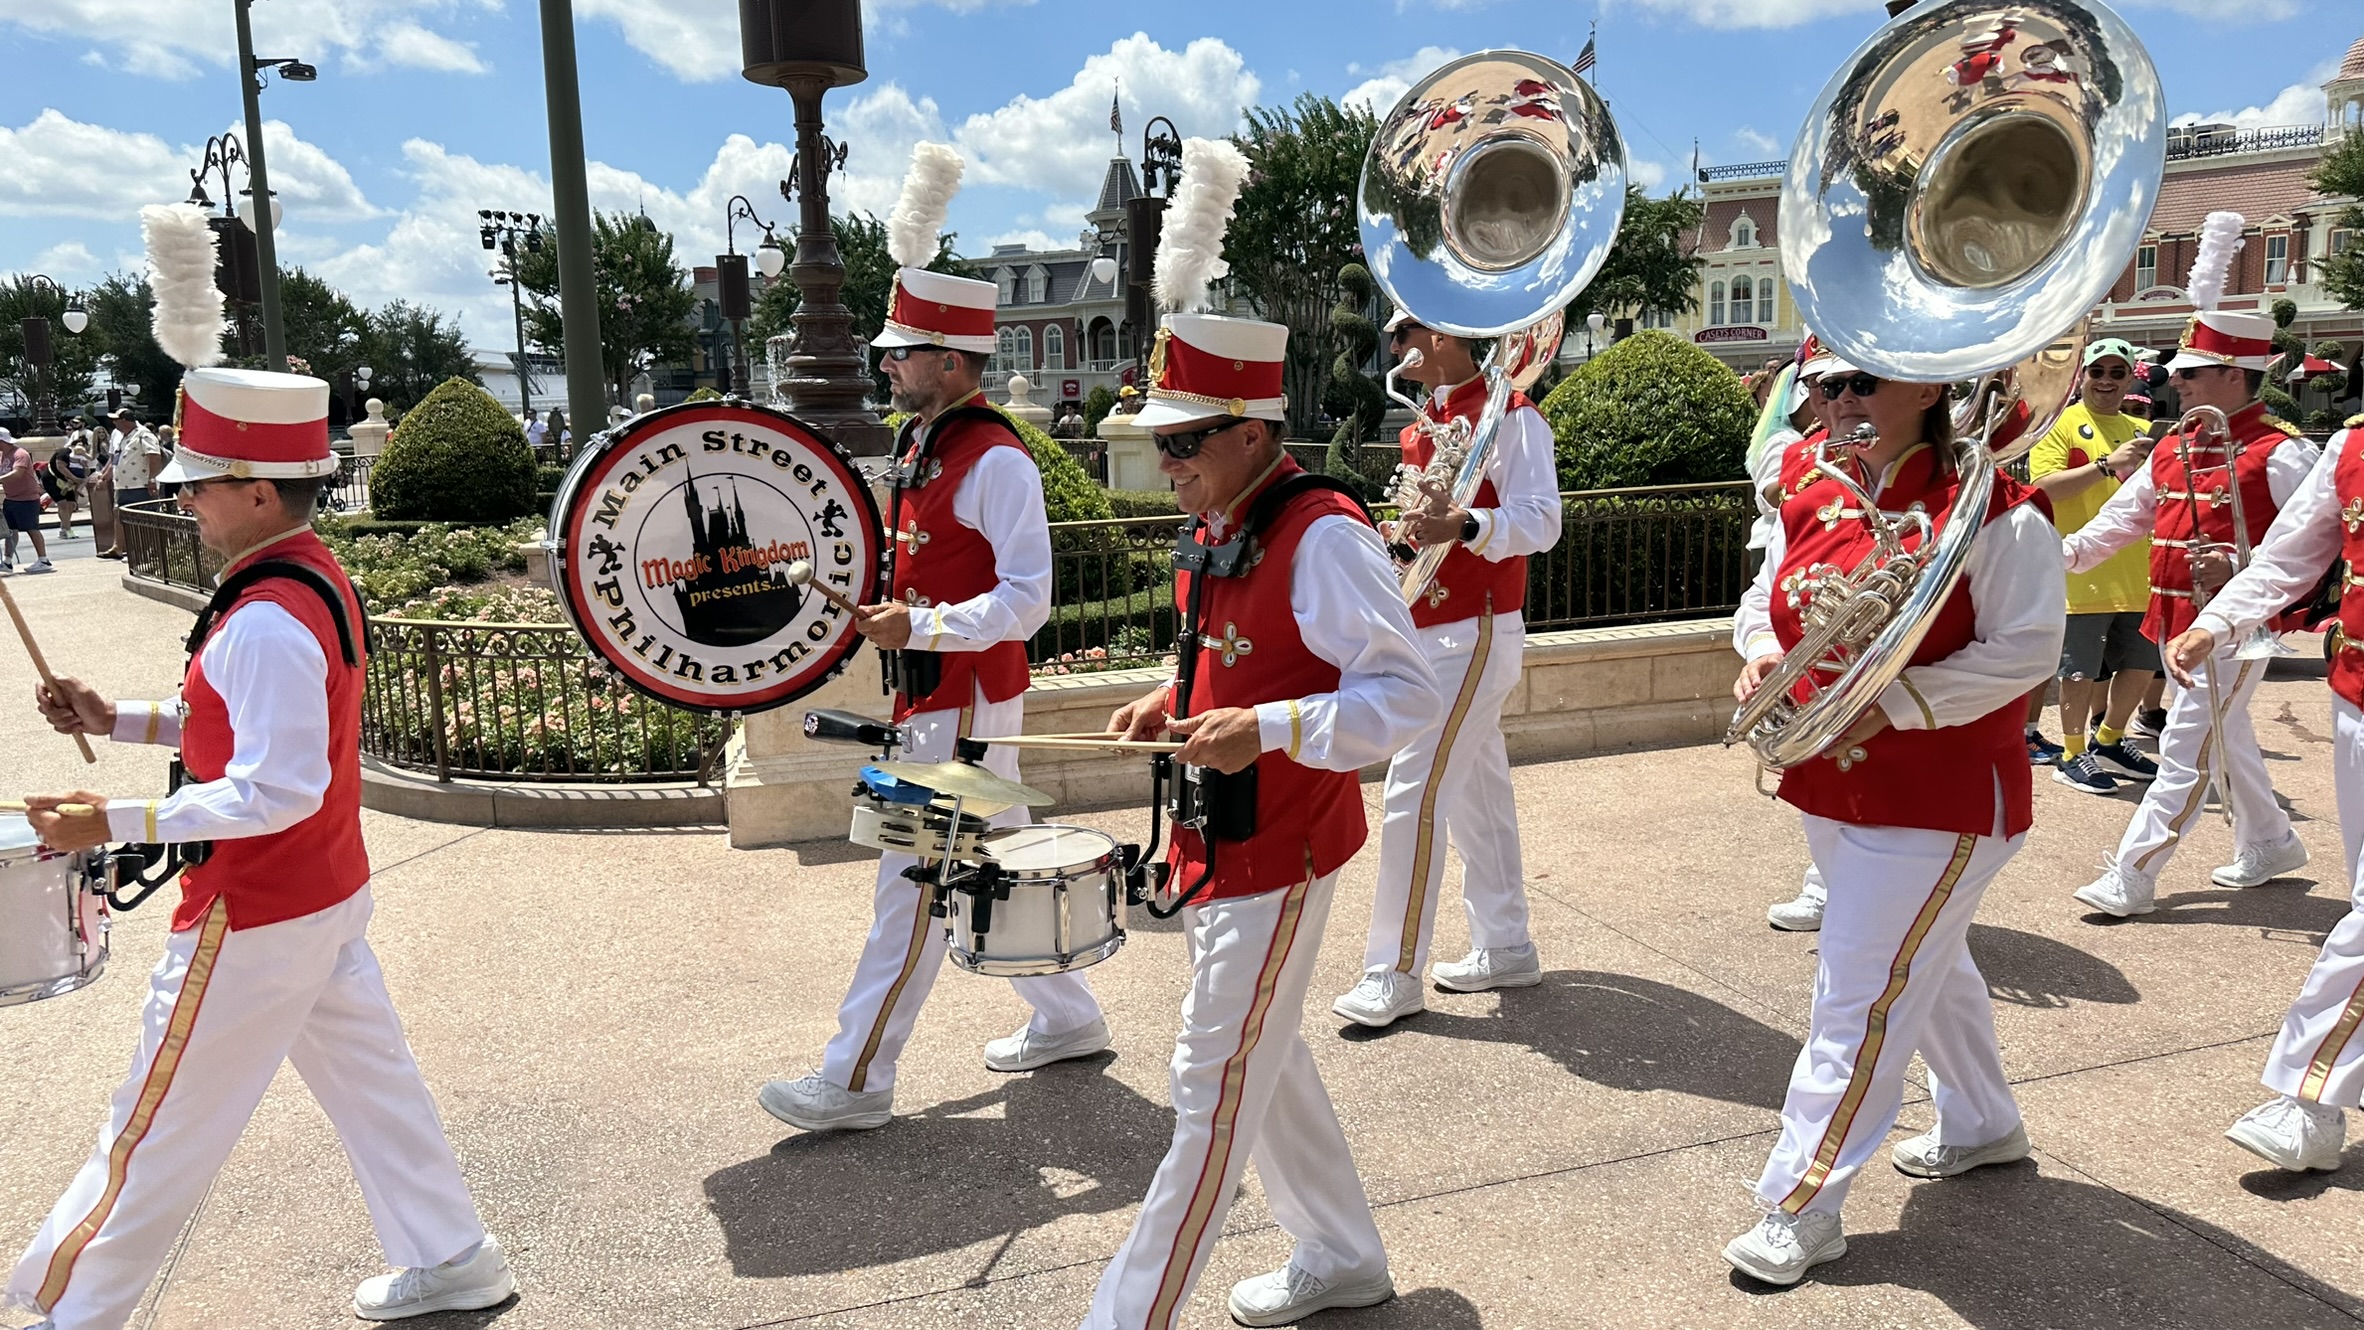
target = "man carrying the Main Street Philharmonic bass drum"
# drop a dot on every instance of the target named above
(970, 587)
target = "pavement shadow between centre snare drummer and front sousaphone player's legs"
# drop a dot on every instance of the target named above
(1630, 1034)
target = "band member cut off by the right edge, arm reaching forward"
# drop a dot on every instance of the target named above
(2318, 1062)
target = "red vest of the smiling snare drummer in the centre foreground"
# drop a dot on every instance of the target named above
(1308, 821)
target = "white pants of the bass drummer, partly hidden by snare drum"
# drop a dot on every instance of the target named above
(907, 944)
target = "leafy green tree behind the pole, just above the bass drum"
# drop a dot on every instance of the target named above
(644, 299)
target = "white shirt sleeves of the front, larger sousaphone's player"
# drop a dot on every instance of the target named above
(2020, 608)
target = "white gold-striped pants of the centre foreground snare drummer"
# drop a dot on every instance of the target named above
(1245, 1085)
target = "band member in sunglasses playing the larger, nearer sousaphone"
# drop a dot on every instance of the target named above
(1909, 816)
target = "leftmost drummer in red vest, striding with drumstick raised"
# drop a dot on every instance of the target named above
(268, 958)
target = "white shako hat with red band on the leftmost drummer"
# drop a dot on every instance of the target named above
(249, 424)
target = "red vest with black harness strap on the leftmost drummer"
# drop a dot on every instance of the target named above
(320, 861)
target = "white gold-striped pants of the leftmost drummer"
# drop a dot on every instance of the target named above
(226, 1008)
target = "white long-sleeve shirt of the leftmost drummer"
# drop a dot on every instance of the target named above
(275, 684)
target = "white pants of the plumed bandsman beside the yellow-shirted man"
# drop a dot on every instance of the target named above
(2186, 755)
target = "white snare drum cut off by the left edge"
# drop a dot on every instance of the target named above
(53, 918)
